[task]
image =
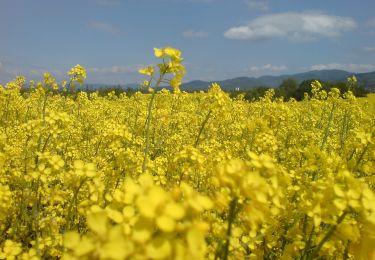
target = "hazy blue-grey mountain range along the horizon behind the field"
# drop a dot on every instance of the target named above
(243, 83)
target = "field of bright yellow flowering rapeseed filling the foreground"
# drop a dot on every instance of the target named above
(184, 176)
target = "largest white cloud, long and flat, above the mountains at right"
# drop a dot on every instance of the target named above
(293, 26)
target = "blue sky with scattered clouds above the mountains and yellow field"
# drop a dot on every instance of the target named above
(219, 39)
